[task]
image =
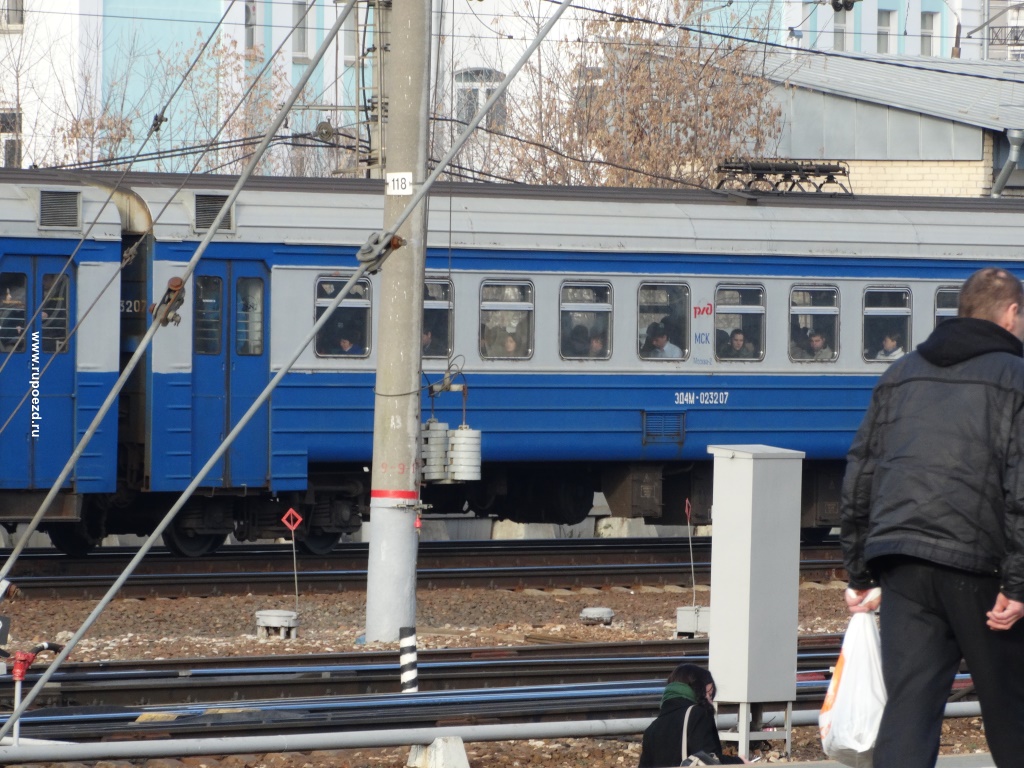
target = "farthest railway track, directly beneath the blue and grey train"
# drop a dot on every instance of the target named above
(442, 566)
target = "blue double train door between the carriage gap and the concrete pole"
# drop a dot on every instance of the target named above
(231, 367)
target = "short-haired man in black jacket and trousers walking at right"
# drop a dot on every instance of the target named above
(933, 513)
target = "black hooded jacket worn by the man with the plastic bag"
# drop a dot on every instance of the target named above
(936, 471)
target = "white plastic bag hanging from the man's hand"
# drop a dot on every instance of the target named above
(852, 712)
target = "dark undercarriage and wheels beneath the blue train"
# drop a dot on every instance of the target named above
(337, 502)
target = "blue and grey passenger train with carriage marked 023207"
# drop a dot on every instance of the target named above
(606, 337)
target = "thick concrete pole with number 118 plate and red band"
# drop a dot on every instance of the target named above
(396, 472)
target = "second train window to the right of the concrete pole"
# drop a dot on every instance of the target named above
(506, 320)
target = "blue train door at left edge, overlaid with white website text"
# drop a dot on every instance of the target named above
(39, 439)
